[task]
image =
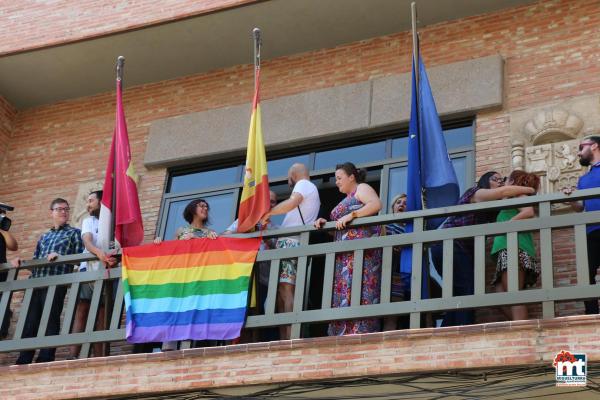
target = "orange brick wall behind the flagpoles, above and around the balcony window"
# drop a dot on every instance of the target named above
(551, 50)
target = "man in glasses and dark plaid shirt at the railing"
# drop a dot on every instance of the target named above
(61, 239)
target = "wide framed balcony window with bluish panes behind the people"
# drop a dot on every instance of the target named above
(385, 157)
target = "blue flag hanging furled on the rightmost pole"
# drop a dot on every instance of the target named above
(431, 179)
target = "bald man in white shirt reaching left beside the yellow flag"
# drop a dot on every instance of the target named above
(302, 208)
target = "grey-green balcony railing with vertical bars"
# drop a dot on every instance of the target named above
(545, 293)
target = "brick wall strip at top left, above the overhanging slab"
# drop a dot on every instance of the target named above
(26, 25)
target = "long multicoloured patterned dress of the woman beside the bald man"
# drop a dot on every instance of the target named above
(342, 281)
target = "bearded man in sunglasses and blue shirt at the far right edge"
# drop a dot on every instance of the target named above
(589, 156)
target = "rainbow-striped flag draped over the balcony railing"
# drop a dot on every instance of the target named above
(187, 289)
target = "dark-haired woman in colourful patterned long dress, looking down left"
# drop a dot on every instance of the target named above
(360, 201)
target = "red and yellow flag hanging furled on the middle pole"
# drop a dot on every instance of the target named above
(255, 195)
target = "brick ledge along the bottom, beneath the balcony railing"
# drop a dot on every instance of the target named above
(530, 344)
